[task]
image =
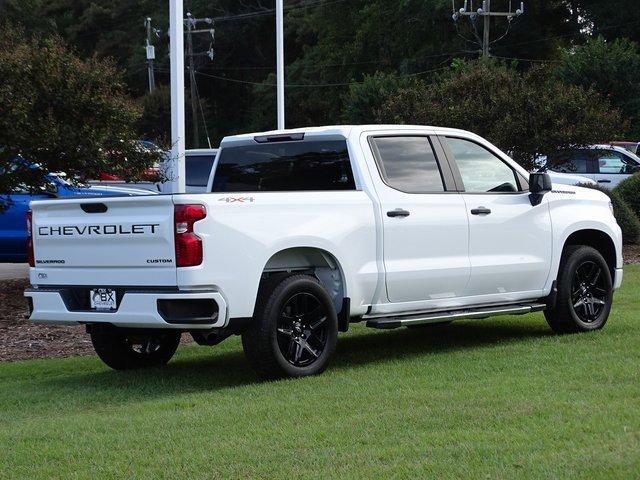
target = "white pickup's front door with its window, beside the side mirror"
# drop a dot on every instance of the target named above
(510, 241)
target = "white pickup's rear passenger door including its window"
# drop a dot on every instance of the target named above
(426, 232)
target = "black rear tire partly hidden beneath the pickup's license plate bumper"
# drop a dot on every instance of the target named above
(121, 351)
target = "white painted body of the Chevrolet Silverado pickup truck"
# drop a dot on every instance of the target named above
(440, 257)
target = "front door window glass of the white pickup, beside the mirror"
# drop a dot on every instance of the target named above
(480, 169)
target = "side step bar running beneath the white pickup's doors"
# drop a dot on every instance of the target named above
(435, 317)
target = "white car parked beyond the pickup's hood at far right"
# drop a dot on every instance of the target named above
(607, 165)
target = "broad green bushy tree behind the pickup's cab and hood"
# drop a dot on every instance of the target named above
(526, 114)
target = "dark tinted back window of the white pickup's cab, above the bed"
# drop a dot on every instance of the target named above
(285, 167)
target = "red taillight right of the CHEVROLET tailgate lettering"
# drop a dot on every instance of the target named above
(188, 244)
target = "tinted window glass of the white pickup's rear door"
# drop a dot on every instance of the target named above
(408, 164)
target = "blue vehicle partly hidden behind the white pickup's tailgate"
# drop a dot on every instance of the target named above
(13, 222)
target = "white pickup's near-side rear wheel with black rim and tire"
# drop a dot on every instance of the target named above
(294, 330)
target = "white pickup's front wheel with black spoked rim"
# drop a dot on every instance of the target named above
(585, 292)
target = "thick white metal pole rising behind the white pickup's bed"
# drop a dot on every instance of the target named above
(176, 32)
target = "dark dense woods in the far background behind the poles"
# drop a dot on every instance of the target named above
(331, 45)
